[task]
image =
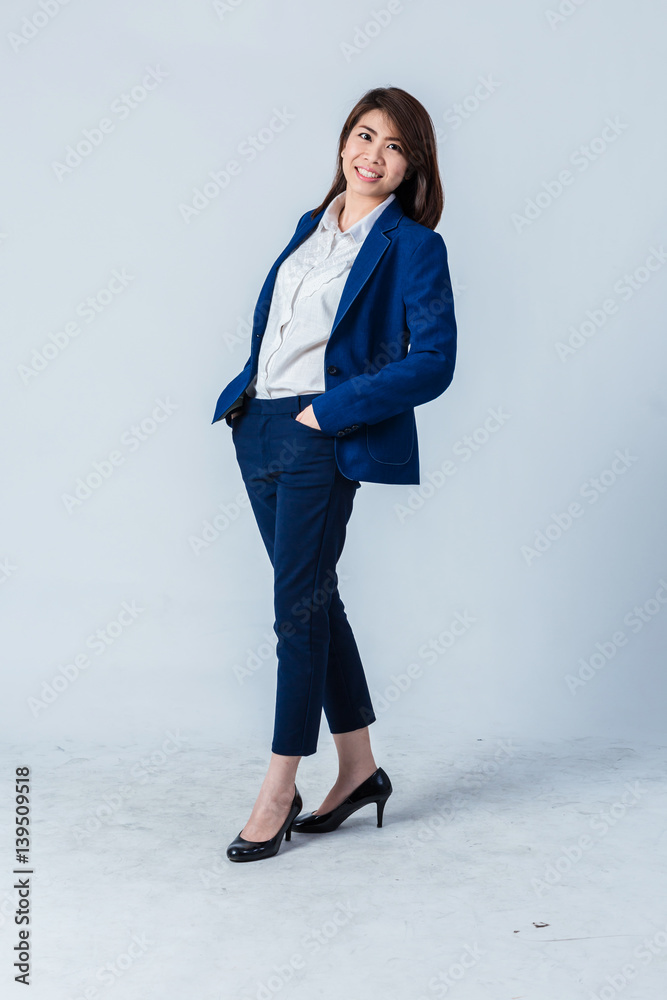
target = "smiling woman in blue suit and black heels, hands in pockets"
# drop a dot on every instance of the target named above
(353, 328)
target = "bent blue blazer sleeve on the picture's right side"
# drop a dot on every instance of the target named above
(428, 367)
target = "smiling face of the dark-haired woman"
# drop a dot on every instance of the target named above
(374, 160)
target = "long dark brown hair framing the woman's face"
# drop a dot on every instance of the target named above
(420, 193)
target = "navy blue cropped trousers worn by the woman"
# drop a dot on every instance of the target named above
(302, 503)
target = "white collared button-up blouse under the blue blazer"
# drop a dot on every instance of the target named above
(306, 295)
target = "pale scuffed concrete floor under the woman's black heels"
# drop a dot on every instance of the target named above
(506, 870)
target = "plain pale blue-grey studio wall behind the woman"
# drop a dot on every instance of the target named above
(178, 332)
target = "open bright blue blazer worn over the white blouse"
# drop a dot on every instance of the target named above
(392, 347)
